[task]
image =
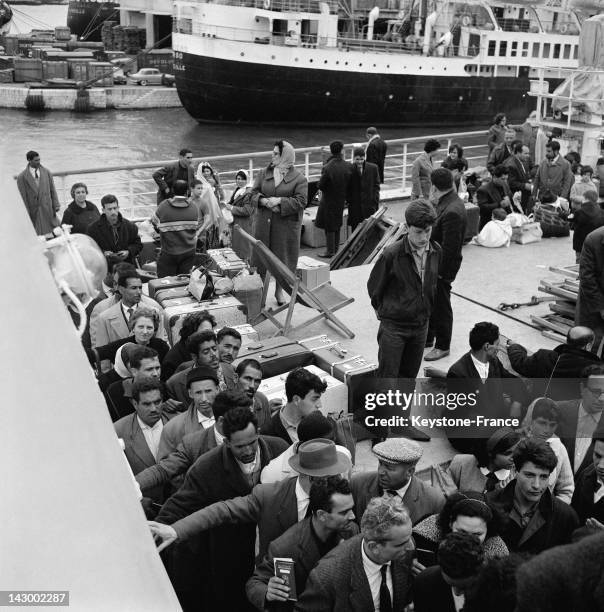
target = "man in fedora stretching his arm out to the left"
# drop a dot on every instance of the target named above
(273, 507)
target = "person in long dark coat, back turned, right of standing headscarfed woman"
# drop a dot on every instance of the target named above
(333, 184)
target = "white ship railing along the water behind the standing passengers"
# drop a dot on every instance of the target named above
(136, 190)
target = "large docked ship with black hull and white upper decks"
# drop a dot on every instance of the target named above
(324, 62)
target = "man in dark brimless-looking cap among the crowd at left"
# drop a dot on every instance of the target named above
(202, 387)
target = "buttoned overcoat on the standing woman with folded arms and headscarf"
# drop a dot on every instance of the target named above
(280, 230)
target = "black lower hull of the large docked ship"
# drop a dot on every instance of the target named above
(219, 90)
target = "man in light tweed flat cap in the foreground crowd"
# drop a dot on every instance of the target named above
(395, 477)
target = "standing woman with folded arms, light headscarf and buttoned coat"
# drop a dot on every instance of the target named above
(280, 193)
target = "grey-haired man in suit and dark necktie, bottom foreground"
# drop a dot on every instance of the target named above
(369, 572)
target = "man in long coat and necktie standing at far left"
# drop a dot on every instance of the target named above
(37, 188)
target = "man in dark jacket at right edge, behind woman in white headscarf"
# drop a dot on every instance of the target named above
(580, 418)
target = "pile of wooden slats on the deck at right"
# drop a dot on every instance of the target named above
(565, 292)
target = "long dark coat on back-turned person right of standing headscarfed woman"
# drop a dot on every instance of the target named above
(333, 184)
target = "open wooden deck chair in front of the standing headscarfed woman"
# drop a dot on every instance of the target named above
(325, 299)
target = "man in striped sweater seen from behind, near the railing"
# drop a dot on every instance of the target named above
(178, 223)
